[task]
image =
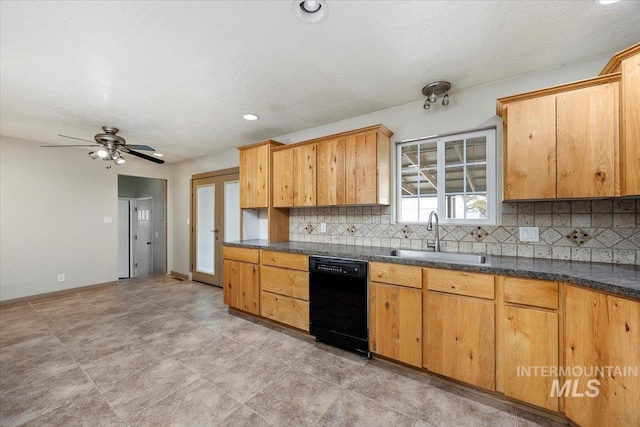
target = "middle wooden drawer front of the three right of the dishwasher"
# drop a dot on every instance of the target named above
(460, 283)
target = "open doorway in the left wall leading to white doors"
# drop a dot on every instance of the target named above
(142, 230)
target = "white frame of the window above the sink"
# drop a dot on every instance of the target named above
(492, 190)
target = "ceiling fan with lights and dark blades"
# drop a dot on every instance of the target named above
(111, 146)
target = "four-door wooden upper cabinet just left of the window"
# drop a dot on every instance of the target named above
(351, 168)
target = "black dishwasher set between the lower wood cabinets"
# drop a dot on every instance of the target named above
(338, 296)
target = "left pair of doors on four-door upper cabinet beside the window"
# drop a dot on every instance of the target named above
(294, 176)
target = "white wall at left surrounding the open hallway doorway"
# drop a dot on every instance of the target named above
(52, 202)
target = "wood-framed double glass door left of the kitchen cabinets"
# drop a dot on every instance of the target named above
(215, 218)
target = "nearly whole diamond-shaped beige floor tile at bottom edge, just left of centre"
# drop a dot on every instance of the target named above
(294, 399)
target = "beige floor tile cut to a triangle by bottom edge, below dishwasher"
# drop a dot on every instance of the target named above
(352, 409)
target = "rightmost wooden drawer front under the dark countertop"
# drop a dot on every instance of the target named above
(537, 293)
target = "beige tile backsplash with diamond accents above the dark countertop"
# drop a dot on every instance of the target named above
(605, 231)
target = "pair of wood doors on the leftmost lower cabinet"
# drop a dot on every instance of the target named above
(242, 285)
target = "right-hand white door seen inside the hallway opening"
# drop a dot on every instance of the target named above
(143, 247)
